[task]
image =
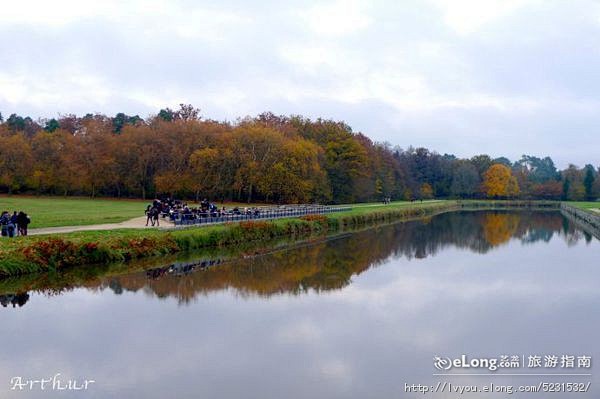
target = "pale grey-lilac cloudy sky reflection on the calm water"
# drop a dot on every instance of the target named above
(364, 340)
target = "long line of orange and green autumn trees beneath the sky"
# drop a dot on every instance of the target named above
(267, 158)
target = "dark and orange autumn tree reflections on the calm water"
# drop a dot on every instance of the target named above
(330, 264)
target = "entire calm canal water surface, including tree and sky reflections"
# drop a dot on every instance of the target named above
(358, 316)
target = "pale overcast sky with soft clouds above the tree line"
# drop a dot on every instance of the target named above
(503, 77)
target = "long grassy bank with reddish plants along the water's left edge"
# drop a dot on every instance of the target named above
(40, 253)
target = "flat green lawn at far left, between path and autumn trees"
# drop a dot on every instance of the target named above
(60, 211)
